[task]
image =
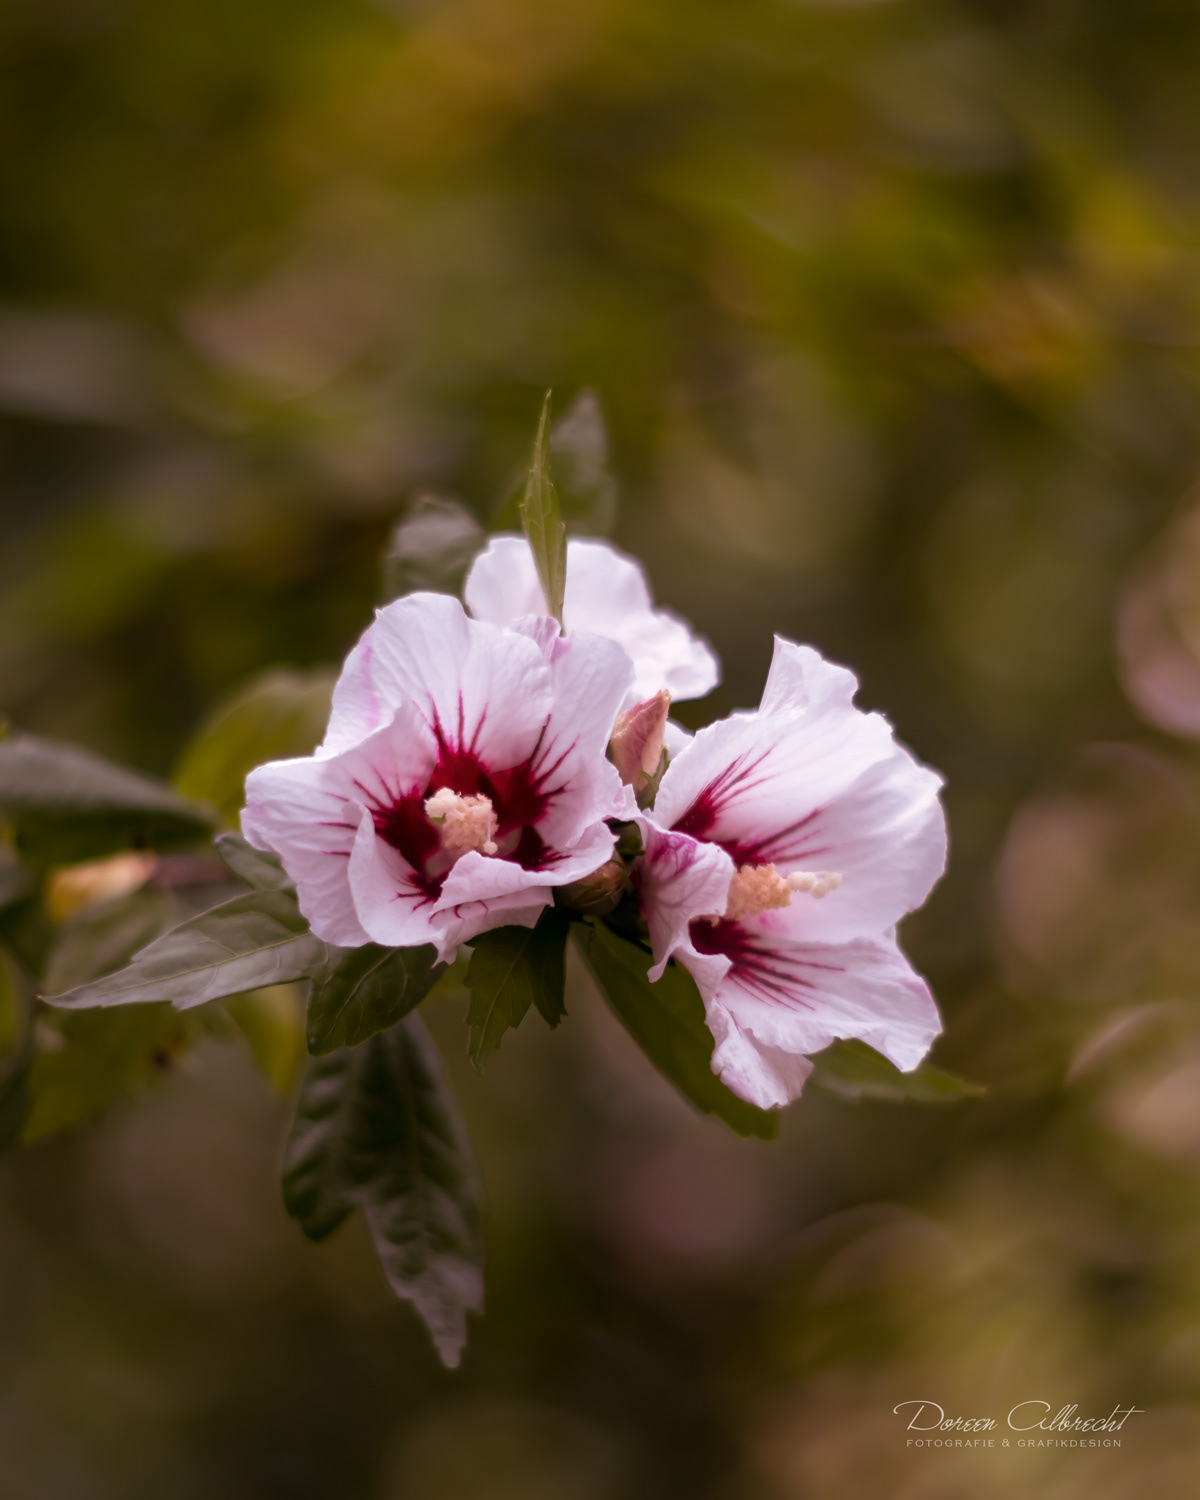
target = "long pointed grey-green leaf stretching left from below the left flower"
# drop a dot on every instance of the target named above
(247, 944)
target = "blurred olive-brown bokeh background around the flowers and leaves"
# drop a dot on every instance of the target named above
(895, 316)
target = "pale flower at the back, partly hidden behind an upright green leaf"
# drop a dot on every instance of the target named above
(607, 596)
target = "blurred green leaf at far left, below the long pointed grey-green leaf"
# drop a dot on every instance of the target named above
(92, 1058)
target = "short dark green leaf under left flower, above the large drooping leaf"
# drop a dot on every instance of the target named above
(359, 992)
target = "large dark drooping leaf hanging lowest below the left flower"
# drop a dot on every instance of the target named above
(377, 1129)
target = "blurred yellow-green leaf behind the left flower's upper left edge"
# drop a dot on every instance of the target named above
(275, 718)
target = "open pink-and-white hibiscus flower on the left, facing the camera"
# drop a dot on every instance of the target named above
(461, 779)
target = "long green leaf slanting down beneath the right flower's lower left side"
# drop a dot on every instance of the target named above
(667, 1021)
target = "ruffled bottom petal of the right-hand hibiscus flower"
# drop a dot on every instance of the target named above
(793, 1000)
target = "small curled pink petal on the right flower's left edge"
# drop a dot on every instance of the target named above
(682, 881)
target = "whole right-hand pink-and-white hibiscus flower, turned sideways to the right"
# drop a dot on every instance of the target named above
(784, 848)
